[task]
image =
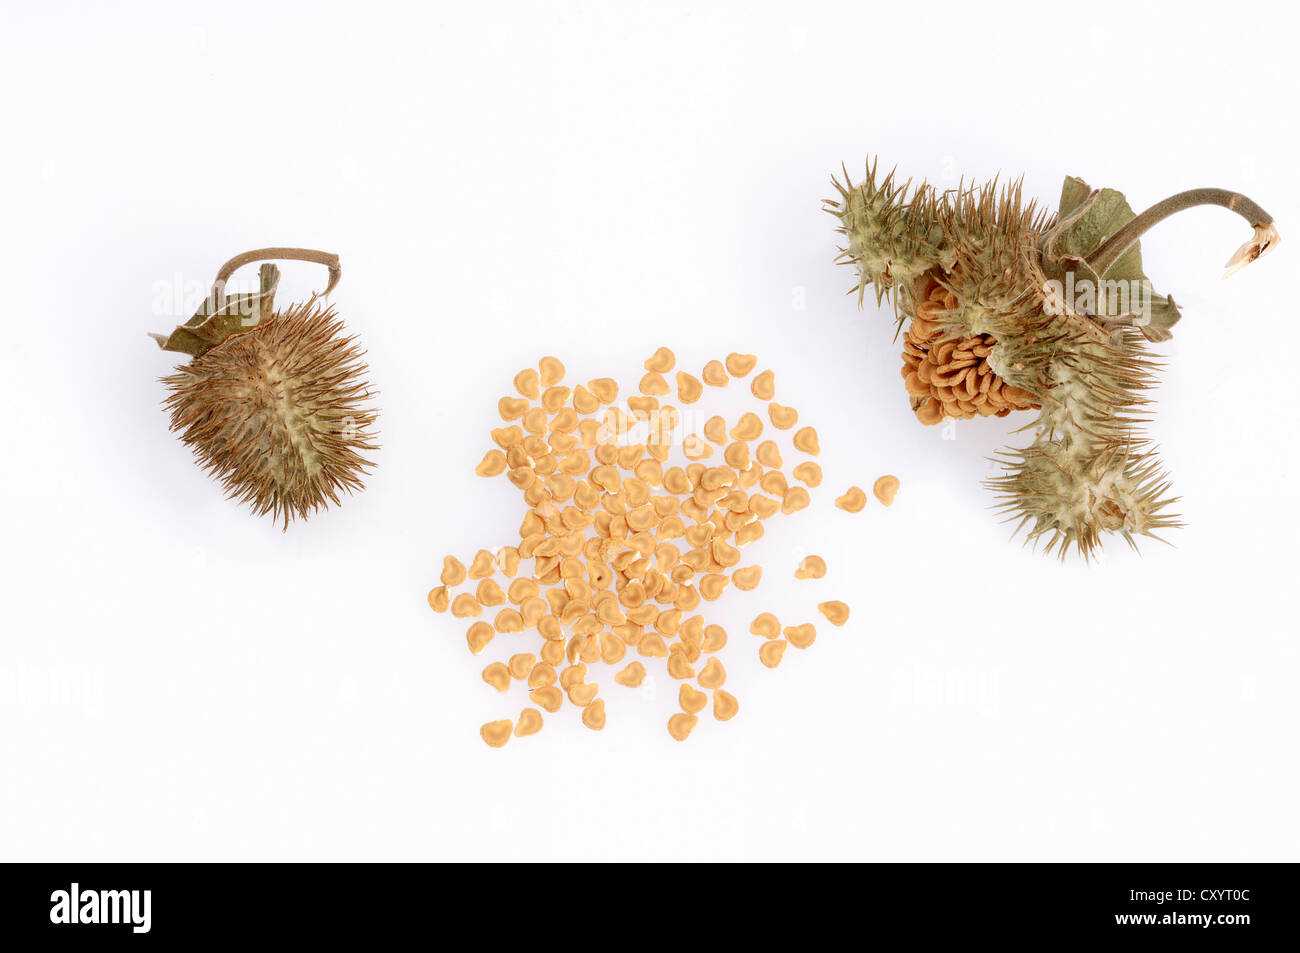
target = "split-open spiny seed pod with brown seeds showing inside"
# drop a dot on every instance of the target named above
(1015, 309)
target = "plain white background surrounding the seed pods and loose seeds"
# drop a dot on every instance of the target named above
(181, 681)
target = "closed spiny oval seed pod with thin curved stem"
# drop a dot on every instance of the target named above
(272, 404)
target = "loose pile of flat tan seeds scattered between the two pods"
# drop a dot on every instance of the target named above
(626, 547)
